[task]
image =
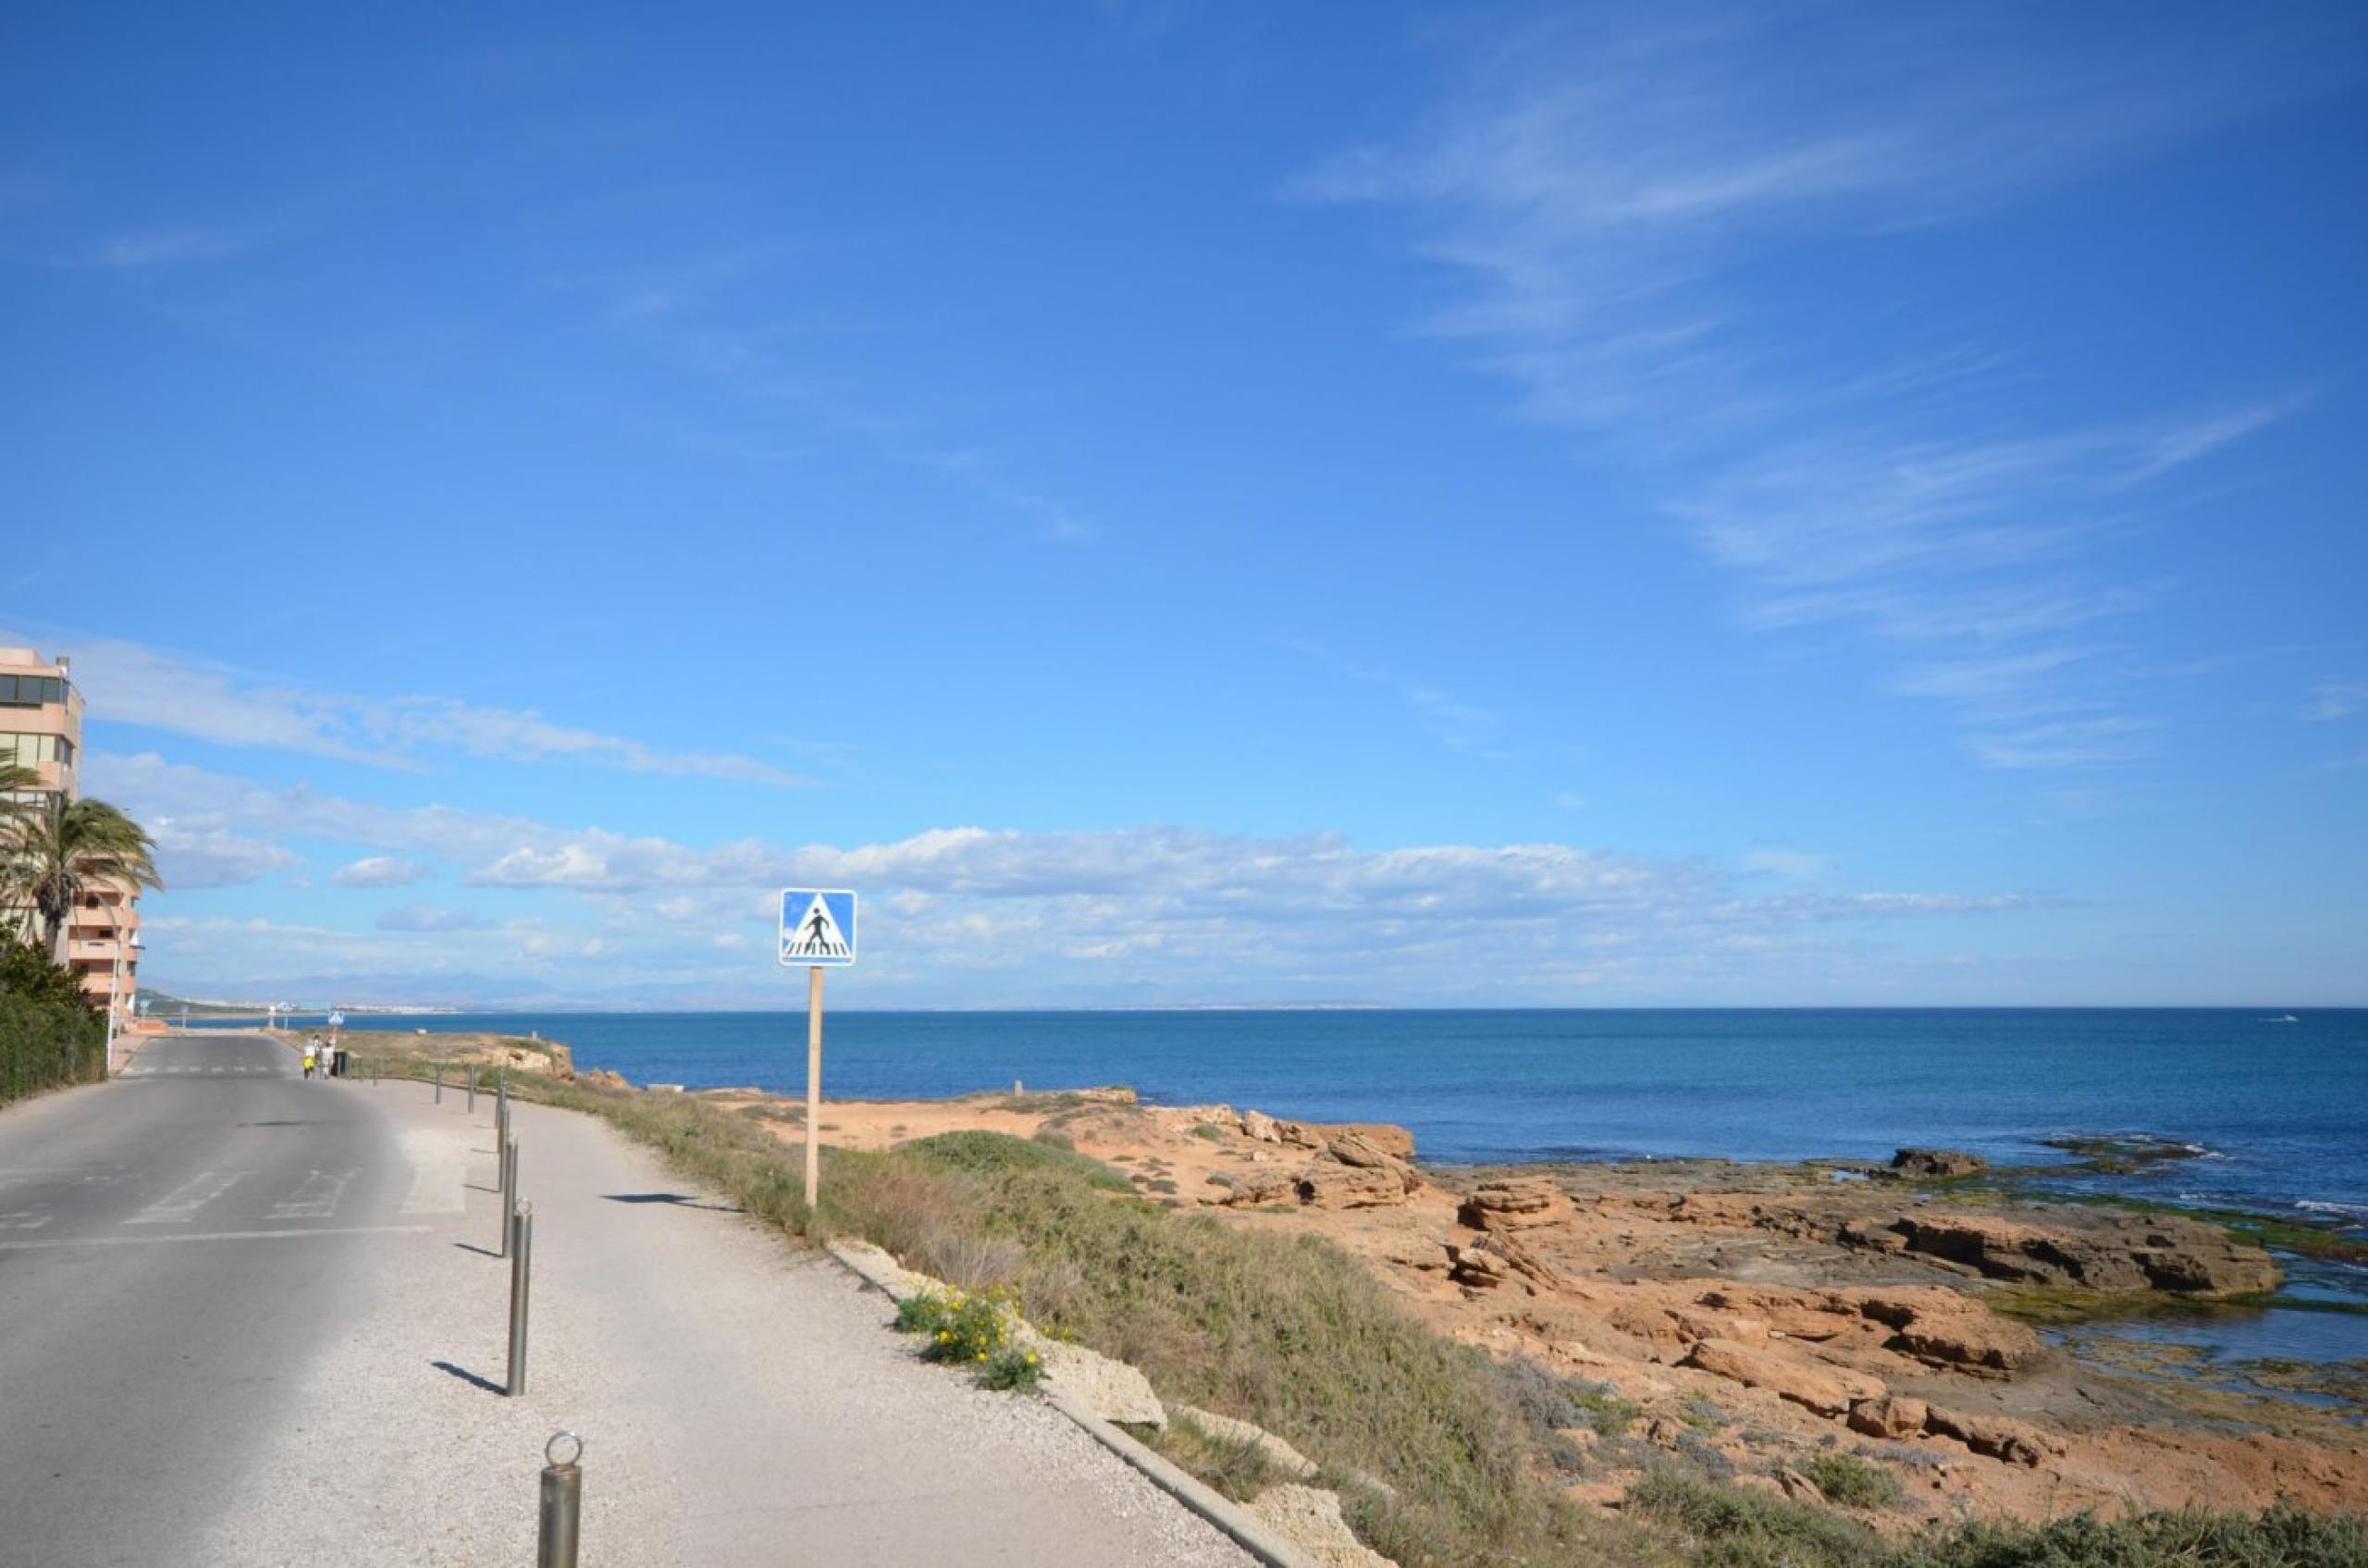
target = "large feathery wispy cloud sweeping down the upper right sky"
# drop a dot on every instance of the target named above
(1604, 186)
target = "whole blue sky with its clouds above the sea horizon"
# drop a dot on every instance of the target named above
(1209, 503)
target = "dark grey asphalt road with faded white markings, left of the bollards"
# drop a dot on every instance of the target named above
(176, 1249)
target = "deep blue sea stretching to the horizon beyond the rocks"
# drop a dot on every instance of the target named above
(2272, 1103)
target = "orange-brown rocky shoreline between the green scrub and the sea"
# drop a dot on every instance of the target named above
(1746, 1320)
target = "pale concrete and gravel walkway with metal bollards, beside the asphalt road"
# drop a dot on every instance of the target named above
(740, 1403)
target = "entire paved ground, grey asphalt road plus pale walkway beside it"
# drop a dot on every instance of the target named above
(259, 1320)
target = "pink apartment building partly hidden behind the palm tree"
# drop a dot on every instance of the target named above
(41, 728)
